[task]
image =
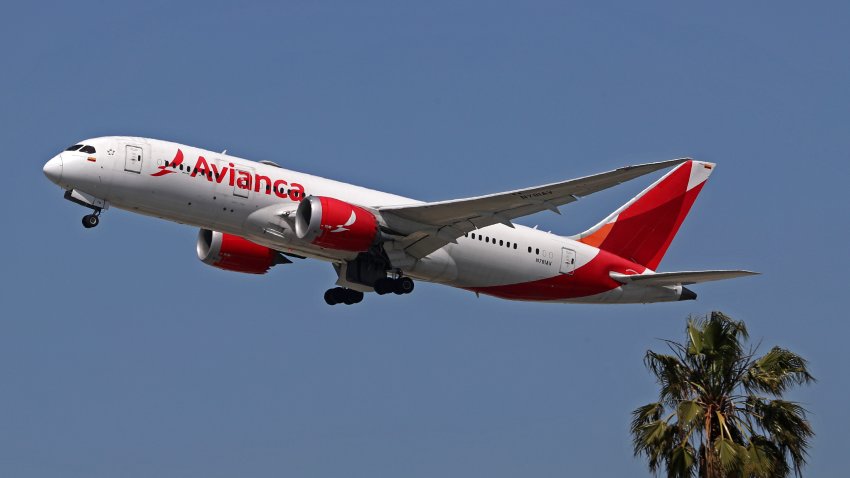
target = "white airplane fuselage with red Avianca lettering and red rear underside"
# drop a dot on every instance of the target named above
(130, 173)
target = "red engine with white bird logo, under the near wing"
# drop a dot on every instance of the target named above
(335, 224)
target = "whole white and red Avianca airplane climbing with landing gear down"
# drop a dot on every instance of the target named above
(255, 215)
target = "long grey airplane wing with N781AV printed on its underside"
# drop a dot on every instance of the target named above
(426, 227)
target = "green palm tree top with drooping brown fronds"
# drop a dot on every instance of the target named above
(720, 411)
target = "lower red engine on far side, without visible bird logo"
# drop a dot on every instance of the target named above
(233, 253)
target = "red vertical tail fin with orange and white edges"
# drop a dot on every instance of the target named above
(642, 229)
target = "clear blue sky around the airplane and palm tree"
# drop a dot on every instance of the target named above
(121, 354)
